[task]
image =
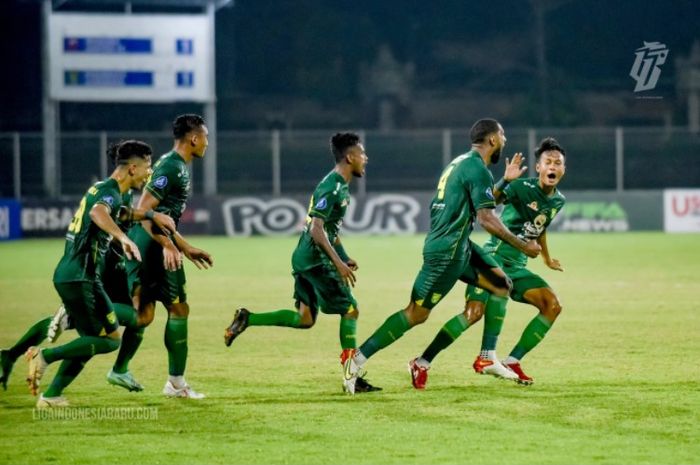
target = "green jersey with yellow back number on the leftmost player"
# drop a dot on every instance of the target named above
(86, 243)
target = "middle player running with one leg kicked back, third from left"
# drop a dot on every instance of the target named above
(323, 272)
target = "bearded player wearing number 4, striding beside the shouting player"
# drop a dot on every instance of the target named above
(464, 193)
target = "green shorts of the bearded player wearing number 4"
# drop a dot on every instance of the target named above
(438, 275)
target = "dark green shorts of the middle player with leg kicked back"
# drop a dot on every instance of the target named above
(321, 288)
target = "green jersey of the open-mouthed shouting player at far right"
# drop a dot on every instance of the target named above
(527, 213)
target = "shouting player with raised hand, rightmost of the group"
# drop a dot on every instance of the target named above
(530, 206)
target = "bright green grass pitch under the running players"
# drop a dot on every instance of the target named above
(617, 378)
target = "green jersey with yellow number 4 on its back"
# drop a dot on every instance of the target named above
(466, 185)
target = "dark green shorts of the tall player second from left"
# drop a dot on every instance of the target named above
(156, 283)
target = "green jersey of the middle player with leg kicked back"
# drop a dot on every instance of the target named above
(329, 202)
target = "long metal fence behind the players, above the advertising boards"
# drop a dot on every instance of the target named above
(285, 162)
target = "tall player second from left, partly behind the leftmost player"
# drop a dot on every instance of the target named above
(160, 277)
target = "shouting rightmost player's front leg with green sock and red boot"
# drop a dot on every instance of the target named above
(540, 295)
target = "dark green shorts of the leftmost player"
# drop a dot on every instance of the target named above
(89, 307)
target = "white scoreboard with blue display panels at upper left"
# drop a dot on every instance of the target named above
(122, 58)
